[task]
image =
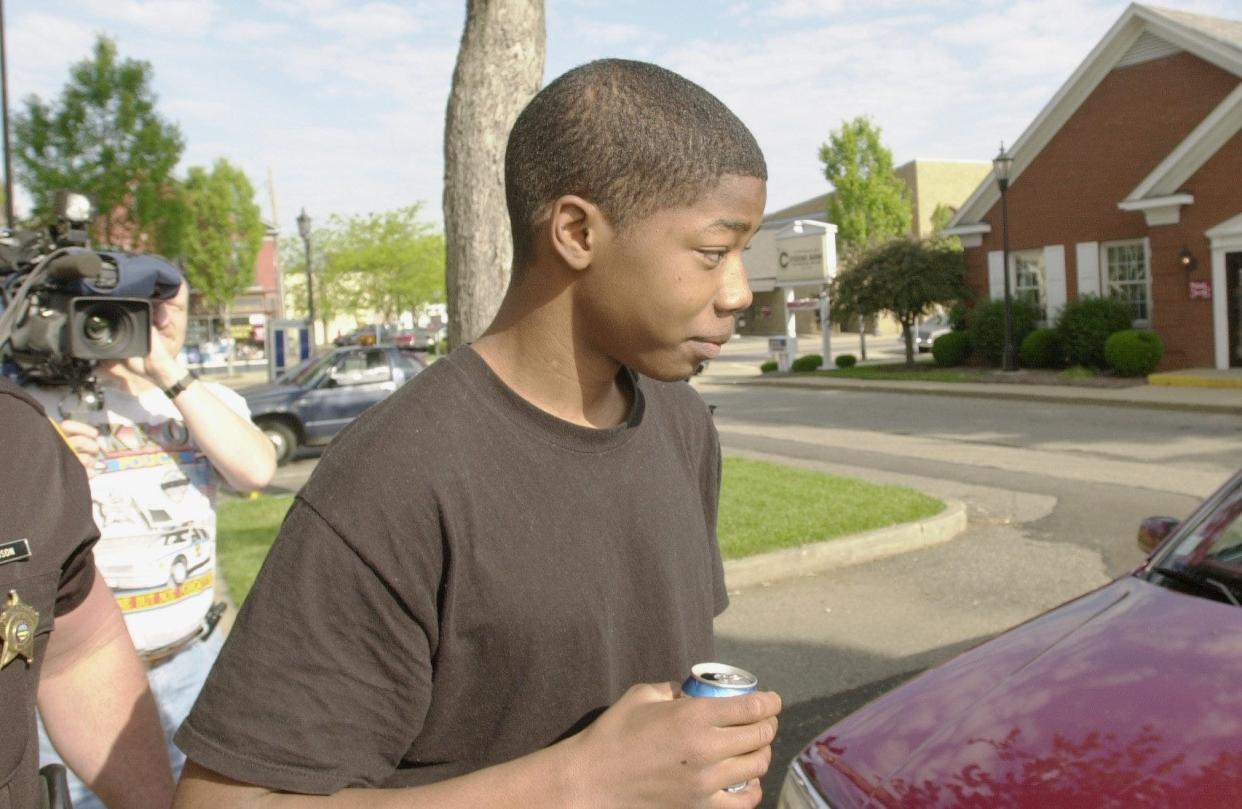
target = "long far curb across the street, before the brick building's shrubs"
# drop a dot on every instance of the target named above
(1012, 396)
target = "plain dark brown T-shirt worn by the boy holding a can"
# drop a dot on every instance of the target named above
(466, 580)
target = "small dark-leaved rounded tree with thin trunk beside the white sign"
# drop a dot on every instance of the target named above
(906, 279)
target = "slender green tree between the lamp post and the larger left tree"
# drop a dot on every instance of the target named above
(225, 234)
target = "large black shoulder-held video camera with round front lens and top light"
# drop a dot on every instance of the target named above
(65, 308)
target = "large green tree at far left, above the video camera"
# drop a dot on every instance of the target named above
(105, 139)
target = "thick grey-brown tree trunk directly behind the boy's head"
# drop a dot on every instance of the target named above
(500, 68)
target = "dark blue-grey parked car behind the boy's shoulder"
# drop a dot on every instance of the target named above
(311, 406)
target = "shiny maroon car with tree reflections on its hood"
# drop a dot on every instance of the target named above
(1125, 698)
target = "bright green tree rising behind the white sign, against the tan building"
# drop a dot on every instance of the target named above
(870, 204)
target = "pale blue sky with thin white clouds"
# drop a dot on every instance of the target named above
(342, 103)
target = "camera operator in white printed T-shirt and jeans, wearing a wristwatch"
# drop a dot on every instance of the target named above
(153, 454)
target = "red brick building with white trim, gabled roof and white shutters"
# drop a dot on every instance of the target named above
(1130, 185)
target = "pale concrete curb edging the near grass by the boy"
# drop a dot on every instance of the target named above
(848, 551)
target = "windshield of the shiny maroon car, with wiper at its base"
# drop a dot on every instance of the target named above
(1213, 550)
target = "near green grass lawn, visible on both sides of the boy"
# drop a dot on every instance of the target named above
(763, 508)
